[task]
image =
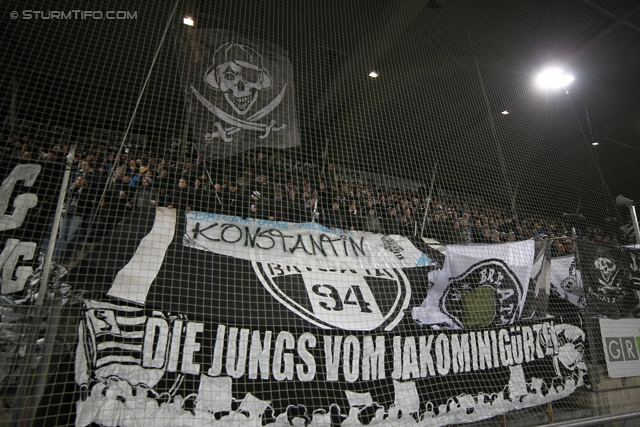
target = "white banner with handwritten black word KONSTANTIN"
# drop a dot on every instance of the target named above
(307, 244)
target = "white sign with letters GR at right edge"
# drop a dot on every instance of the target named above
(621, 341)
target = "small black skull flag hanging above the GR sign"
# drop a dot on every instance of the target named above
(606, 280)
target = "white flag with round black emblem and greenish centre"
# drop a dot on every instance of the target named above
(479, 285)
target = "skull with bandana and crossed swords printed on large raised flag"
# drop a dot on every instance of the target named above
(238, 73)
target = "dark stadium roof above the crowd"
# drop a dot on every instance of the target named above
(447, 69)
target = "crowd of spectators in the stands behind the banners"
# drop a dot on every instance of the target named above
(105, 188)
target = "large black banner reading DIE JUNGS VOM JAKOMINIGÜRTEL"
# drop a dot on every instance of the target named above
(211, 345)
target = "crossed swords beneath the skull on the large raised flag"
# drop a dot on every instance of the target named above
(239, 124)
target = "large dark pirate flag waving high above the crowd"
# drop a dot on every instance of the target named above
(240, 92)
